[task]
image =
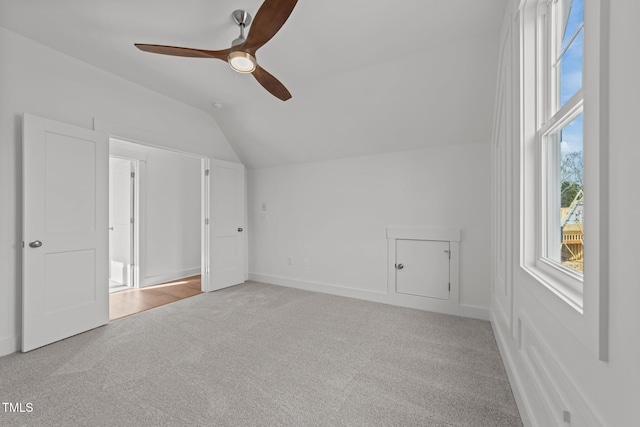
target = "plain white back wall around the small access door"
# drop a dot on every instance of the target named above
(335, 213)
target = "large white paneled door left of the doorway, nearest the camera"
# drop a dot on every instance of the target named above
(65, 229)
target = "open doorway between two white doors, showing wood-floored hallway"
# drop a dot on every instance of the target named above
(155, 226)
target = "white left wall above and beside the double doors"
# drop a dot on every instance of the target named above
(35, 79)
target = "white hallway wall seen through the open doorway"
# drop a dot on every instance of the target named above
(170, 202)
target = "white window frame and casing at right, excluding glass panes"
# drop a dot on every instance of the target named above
(581, 307)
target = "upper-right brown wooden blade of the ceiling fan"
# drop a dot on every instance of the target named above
(269, 19)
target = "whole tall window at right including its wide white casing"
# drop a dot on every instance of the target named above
(563, 163)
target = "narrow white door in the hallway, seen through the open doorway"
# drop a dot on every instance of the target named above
(120, 221)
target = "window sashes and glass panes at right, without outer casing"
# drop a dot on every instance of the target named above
(560, 133)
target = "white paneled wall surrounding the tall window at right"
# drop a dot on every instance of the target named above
(552, 369)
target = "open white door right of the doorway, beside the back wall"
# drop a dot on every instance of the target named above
(227, 224)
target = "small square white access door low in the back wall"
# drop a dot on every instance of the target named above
(422, 268)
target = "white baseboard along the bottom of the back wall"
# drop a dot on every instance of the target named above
(409, 301)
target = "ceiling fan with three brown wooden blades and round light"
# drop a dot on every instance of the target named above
(241, 56)
